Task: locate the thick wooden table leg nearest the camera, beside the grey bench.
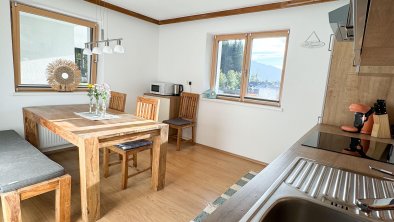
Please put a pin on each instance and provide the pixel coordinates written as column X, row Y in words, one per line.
column 90, row 179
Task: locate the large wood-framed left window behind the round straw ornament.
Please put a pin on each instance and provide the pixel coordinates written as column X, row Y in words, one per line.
column 41, row 37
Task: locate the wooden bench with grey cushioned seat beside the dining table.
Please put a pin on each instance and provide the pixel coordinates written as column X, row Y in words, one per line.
column 24, row 173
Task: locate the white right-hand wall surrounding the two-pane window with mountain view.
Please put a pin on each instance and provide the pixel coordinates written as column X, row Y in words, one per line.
column 249, row 130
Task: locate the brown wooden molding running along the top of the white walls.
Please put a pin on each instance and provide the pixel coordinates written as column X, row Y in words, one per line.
column 239, row 11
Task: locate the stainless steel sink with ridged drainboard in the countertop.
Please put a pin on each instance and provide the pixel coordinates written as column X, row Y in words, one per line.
column 311, row 191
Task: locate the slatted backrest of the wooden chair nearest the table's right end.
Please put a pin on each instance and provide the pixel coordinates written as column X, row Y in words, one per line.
column 148, row 108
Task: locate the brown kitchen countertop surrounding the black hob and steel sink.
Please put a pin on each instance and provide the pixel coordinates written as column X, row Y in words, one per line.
column 239, row 204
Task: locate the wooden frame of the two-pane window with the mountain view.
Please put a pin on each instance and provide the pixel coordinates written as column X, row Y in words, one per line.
column 248, row 37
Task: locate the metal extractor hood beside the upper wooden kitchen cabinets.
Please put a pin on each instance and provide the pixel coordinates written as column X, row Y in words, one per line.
column 341, row 21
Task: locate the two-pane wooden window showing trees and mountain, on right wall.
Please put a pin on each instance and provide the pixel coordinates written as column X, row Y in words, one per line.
column 250, row 67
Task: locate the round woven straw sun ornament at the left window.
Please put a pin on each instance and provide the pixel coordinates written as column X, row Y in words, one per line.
column 63, row 75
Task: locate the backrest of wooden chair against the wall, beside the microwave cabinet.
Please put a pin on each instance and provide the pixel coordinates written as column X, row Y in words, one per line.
column 188, row 105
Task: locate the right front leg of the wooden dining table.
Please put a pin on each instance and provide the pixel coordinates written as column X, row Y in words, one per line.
column 159, row 158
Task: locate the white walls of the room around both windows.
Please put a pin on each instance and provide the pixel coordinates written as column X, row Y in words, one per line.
column 182, row 52
